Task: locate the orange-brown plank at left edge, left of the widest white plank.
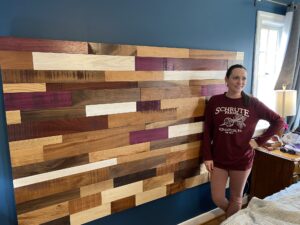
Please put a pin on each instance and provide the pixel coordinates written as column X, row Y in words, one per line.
column 16, row 60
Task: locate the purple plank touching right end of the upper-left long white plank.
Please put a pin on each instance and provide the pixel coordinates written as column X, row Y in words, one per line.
column 149, row 64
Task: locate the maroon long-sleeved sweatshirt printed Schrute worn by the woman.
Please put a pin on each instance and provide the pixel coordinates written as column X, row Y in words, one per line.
column 229, row 127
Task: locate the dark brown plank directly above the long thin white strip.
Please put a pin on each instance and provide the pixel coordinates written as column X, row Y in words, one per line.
column 51, row 165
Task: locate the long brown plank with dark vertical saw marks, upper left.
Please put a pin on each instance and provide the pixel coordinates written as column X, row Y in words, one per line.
column 50, row 76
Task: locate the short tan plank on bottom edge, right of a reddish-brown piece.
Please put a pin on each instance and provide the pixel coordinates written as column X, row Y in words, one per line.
column 151, row 195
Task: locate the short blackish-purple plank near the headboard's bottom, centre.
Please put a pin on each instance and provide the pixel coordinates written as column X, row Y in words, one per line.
column 131, row 178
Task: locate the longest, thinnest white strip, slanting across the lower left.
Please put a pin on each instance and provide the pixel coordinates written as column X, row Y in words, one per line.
column 63, row 173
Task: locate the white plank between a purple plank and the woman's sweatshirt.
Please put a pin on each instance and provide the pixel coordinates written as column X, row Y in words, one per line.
column 185, row 129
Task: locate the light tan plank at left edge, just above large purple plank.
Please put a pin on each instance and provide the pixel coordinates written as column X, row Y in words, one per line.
column 28, row 87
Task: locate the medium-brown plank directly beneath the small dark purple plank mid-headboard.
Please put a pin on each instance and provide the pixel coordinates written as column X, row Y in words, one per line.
column 129, row 119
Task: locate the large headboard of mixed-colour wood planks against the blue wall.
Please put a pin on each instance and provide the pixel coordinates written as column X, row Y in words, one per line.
column 98, row 128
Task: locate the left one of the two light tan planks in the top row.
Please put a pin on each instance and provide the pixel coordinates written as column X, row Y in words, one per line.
column 148, row 51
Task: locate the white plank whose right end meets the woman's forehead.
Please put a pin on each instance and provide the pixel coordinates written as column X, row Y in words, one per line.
column 194, row 75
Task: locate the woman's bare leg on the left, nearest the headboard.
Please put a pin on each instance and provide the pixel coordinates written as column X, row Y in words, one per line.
column 218, row 184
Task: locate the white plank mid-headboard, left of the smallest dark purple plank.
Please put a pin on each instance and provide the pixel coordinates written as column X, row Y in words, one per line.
column 108, row 109
